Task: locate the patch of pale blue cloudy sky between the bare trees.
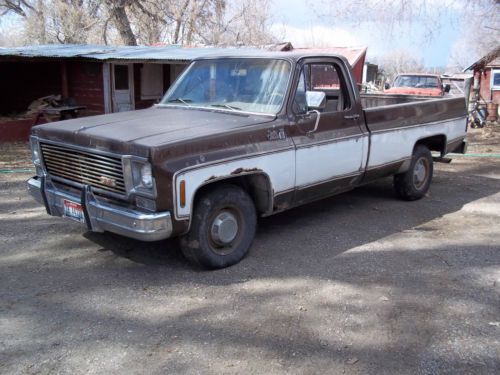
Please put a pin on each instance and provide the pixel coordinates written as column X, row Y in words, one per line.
column 301, row 26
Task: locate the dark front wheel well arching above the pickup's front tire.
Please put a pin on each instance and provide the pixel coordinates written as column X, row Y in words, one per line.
column 257, row 185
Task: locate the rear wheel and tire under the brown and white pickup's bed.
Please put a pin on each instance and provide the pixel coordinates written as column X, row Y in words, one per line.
column 414, row 183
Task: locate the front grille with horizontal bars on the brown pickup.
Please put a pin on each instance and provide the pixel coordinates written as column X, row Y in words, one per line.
column 79, row 168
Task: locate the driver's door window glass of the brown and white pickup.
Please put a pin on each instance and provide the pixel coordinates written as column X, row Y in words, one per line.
column 329, row 79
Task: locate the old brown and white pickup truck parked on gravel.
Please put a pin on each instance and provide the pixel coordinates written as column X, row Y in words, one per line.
column 235, row 138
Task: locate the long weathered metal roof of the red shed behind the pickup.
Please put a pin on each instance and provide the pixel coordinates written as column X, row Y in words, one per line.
column 156, row 53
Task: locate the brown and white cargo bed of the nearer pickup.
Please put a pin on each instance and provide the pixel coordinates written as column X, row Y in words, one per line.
column 396, row 128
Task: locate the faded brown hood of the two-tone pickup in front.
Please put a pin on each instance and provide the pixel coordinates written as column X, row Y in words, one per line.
column 135, row 132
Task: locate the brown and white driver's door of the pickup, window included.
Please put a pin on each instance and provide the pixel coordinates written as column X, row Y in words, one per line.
column 330, row 144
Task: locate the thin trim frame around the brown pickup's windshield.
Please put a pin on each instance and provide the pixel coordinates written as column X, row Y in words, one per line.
column 283, row 104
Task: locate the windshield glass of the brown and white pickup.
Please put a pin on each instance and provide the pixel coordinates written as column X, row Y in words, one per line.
column 249, row 85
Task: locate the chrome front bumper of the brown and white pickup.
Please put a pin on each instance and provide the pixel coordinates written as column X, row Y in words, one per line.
column 100, row 216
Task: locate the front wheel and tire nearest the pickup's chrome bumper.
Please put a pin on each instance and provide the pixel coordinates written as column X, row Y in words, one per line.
column 222, row 228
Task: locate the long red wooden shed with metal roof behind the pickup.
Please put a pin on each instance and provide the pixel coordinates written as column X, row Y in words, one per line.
column 104, row 79
